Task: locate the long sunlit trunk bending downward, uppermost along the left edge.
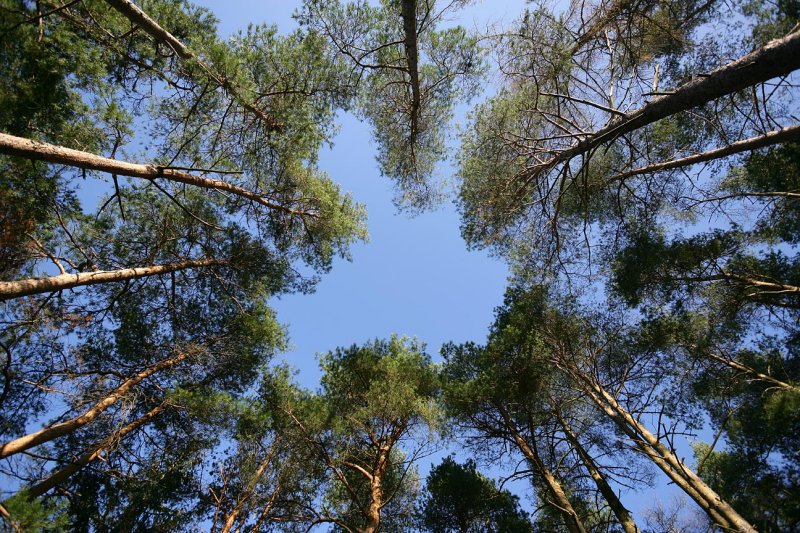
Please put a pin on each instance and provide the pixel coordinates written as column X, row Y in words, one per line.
column 52, row 153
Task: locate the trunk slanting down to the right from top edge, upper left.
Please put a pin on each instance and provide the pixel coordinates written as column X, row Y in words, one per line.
column 139, row 18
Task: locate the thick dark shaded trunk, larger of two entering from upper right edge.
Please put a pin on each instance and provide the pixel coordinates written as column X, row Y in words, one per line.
column 777, row 58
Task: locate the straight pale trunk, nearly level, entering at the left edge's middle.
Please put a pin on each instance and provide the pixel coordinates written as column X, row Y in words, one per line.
column 27, row 287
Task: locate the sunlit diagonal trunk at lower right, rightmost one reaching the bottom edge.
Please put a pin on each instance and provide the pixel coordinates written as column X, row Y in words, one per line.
column 719, row 510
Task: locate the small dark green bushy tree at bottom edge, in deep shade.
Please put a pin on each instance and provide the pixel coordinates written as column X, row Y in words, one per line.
column 460, row 499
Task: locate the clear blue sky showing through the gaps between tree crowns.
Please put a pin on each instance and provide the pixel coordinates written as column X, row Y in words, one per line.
column 415, row 276
